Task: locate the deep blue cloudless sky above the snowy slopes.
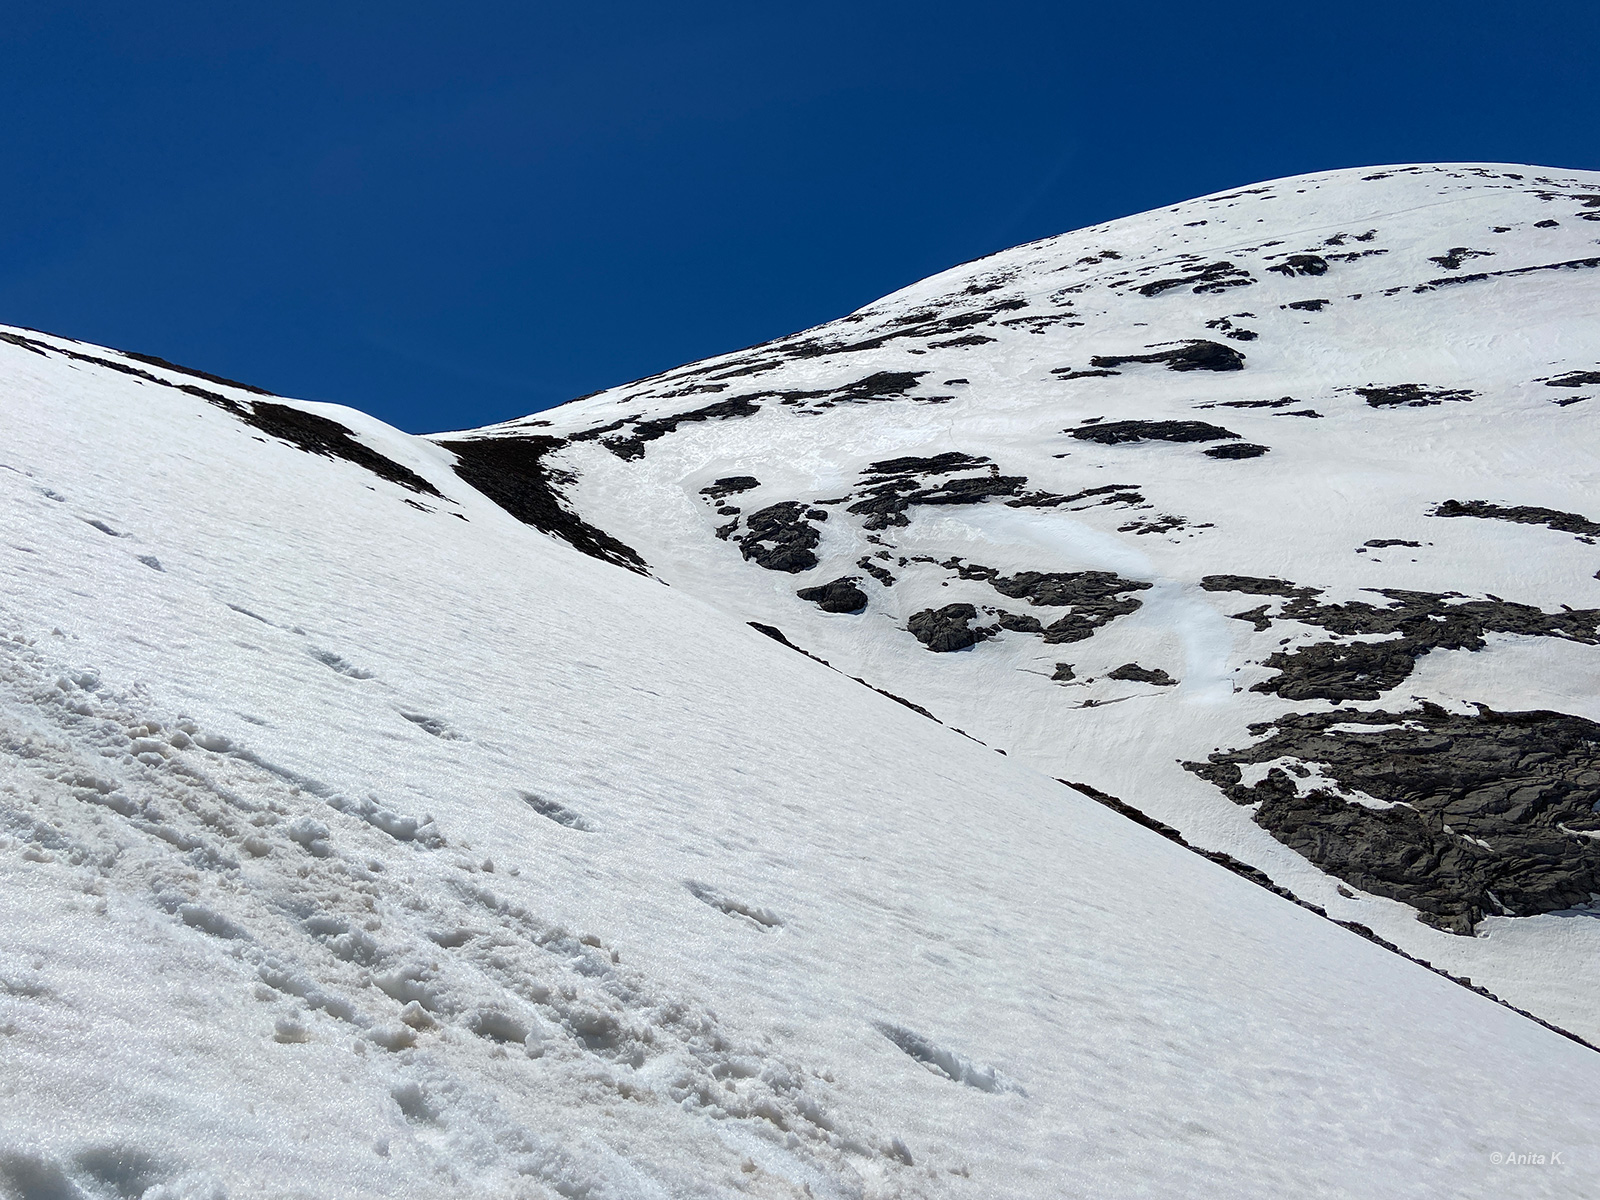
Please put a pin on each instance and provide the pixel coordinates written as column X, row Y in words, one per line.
column 450, row 215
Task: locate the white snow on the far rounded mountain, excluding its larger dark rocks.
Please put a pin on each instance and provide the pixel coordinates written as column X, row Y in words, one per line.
column 1399, row 338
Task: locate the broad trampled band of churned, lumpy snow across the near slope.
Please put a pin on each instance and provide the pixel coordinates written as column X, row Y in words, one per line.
column 366, row 924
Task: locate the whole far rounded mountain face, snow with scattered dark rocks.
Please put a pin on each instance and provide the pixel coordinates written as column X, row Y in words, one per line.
column 1239, row 511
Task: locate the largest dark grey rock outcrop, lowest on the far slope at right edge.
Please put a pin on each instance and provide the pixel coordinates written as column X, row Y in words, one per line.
column 1484, row 815
